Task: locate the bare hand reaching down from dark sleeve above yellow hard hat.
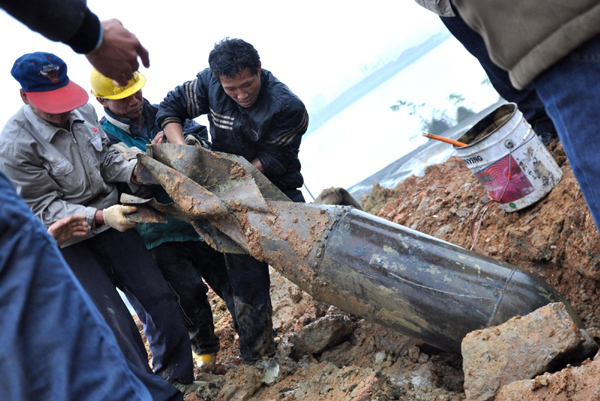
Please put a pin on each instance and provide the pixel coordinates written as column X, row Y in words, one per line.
column 117, row 56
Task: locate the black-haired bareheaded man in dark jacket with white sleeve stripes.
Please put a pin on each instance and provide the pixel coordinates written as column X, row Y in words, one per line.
column 254, row 115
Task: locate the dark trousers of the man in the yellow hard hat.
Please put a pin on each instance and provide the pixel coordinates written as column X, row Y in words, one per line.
column 184, row 265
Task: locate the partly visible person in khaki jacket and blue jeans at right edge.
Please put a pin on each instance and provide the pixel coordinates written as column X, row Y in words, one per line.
column 555, row 45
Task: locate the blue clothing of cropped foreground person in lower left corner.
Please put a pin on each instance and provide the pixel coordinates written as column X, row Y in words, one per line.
column 55, row 345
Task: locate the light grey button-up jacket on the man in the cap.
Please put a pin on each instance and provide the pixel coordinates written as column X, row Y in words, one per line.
column 58, row 172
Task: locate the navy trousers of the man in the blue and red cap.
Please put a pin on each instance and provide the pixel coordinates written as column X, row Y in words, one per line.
column 114, row 259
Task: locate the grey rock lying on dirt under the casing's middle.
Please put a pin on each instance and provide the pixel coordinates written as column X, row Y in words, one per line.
column 324, row 333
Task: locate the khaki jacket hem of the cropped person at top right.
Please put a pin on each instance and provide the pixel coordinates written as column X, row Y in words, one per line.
column 526, row 37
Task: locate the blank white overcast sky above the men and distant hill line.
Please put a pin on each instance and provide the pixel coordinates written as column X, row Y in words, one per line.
column 315, row 47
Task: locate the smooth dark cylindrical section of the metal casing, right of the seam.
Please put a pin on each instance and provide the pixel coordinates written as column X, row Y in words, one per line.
column 419, row 285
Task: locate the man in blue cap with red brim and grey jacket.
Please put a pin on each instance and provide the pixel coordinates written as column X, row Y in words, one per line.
column 56, row 154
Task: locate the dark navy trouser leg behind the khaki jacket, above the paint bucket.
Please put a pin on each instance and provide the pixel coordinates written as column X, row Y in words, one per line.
column 527, row 100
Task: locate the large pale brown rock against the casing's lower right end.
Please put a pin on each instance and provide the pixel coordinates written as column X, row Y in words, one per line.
column 521, row 348
